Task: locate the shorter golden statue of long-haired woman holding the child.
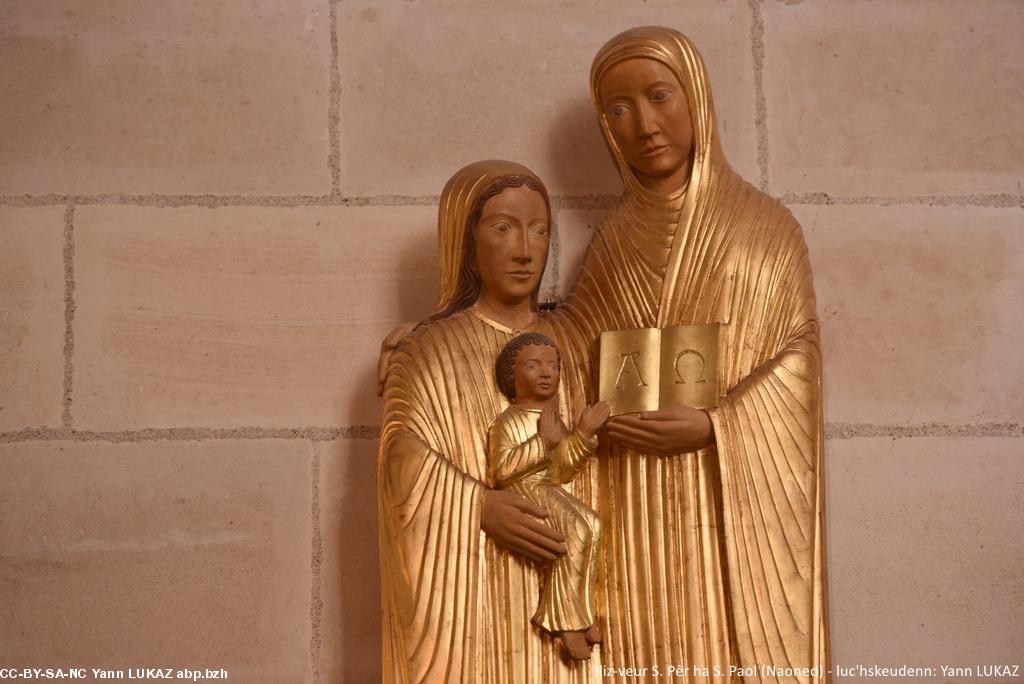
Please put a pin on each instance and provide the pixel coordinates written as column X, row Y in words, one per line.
column 461, row 562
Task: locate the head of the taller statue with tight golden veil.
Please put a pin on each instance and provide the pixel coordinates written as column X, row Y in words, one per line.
column 651, row 90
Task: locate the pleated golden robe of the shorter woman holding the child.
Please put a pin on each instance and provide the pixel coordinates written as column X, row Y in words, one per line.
column 456, row 609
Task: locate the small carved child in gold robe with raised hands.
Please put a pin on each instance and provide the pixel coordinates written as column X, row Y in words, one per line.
column 533, row 454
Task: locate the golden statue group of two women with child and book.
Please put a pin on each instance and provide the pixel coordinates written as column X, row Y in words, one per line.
column 528, row 537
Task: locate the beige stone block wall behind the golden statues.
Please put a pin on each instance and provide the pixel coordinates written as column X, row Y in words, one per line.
column 211, row 212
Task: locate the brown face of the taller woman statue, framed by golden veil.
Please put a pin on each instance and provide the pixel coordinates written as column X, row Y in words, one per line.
column 650, row 118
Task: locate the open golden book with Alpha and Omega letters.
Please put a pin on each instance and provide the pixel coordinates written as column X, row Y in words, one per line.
column 650, row 369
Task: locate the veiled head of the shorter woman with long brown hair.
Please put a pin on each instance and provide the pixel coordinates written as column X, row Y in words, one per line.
column 508, row 201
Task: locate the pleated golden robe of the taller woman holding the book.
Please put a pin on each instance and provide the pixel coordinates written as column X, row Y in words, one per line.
column 713, row 559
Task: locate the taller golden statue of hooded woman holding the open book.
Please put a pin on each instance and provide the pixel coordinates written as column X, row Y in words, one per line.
column 713, row 521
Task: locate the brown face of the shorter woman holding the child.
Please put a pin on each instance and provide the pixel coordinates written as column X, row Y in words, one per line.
column 513, row 240
